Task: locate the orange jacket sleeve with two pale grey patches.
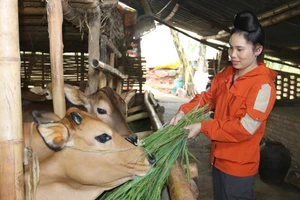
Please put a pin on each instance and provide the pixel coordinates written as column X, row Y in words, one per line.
column 258, row 105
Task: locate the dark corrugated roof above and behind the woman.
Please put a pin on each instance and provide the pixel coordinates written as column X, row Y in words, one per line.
column 208, row 18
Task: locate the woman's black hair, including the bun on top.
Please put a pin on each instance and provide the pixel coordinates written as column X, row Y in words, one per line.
column 247, row 24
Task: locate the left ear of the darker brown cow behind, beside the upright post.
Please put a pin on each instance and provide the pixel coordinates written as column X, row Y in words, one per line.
column 75, row 96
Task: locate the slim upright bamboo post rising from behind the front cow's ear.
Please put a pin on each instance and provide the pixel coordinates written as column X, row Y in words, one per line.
column 55, row 20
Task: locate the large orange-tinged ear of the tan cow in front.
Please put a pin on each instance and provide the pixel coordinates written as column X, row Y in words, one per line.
column 55, row 135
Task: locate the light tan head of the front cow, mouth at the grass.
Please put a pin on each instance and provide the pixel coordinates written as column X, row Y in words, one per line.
column 89, row 152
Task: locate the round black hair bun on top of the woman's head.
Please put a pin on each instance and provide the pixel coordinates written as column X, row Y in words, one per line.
column 247, row 21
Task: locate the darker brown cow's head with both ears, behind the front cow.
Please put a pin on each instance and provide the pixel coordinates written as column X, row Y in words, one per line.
column 106, row 105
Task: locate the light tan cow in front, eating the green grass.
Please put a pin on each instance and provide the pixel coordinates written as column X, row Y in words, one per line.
column 80, row 156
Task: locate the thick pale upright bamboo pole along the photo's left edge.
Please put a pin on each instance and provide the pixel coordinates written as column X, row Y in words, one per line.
column 11, row 137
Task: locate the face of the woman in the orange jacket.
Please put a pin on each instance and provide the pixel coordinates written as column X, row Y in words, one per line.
column 242, row 53
